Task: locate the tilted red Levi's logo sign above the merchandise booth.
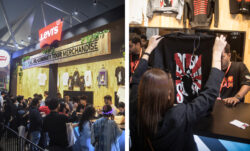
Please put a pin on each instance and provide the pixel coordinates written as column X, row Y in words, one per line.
column 50, row 33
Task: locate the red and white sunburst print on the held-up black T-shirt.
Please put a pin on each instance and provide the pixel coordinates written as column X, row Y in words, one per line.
column 188, row 76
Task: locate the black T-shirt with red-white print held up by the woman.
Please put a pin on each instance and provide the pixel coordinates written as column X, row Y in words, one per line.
column 190, row 69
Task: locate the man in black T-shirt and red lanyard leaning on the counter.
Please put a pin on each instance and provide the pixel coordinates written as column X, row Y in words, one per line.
column 236, row 82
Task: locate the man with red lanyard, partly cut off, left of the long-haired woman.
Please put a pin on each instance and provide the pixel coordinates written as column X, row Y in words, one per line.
column 135, row 52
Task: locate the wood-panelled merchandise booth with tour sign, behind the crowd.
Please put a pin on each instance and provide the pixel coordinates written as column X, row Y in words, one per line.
column 90, row 63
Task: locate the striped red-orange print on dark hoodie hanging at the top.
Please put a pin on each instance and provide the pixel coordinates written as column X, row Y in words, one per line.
column 200, row 7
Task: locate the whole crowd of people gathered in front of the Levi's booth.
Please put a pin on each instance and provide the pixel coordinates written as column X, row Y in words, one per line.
column 51, row 122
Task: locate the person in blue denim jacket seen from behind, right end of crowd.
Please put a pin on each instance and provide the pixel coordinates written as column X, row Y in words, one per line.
column 105, row 132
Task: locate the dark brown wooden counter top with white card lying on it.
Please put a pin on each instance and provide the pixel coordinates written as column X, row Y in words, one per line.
column 217, row 124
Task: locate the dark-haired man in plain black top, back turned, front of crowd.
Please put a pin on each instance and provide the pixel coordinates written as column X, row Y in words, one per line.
column 55, row 125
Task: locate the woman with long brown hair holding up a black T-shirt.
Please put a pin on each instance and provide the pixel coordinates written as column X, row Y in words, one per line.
column 155, row 124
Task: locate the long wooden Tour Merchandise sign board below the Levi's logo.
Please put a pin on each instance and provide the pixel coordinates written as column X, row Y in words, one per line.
column 93, row 45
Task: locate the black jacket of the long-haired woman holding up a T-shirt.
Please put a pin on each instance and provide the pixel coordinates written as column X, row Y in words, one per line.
column 175, row 130
